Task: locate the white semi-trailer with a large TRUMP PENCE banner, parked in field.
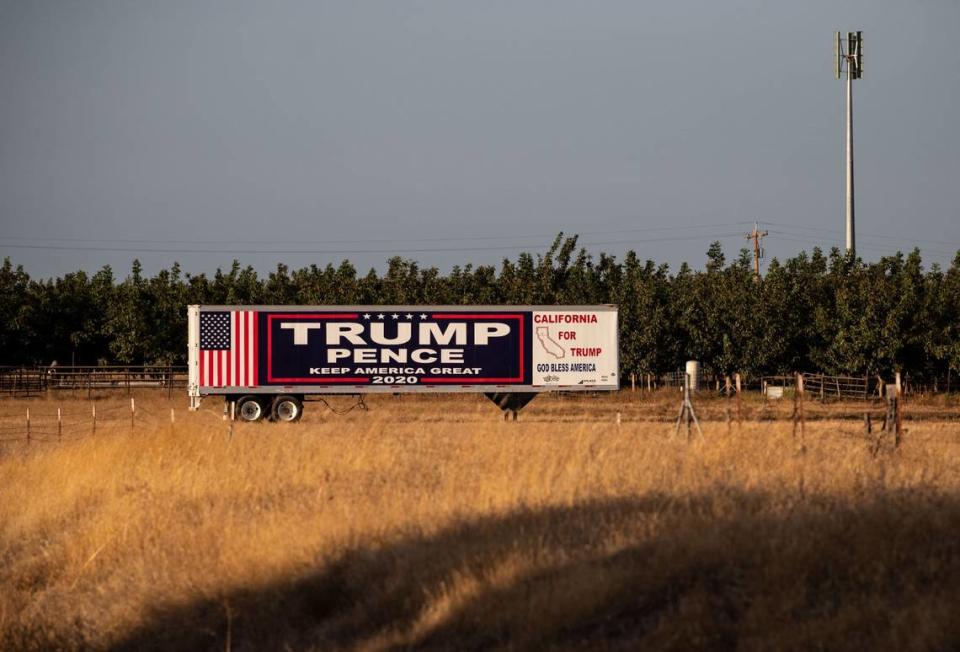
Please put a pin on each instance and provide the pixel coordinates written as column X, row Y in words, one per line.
column 268, row 360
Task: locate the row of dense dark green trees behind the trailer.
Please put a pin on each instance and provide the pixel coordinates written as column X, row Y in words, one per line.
column 818, row 312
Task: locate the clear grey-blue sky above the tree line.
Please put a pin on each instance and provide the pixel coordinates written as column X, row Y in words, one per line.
column 453, row 132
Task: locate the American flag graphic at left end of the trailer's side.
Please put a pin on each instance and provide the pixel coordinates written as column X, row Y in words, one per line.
column 228, row 351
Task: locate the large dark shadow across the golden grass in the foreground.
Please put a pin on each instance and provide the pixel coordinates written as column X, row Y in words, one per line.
column 726, row 570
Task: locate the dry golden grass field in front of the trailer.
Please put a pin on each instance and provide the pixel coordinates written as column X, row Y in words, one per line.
column 431, row 523
